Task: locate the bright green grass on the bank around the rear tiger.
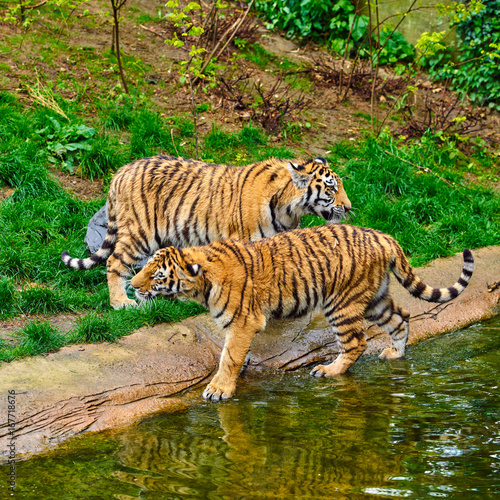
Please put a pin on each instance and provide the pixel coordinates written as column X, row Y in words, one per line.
column 419, row 193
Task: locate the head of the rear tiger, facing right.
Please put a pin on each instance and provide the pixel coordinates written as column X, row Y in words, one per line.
column 324, row 193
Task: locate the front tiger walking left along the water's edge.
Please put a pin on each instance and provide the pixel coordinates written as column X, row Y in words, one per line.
column 339, row 269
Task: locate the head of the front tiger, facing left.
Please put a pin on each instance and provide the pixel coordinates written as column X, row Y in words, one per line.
column 166, row 273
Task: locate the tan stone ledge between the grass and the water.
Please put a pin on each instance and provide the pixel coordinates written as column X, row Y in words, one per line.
column 103, row 386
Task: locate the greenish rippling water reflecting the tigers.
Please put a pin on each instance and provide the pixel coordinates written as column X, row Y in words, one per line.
column 420, row 428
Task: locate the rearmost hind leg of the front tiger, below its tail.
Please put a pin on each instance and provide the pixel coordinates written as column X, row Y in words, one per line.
column 386, row 314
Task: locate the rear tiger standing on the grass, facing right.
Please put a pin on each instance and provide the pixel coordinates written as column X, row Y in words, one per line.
column 162, row 201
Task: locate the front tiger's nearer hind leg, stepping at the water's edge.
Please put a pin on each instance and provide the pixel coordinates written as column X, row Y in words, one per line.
column 349, row 331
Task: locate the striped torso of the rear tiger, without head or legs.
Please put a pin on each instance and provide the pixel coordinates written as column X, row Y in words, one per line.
column 188, row 203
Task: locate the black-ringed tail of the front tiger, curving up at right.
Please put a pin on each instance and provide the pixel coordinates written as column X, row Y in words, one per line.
column 419, row 289
